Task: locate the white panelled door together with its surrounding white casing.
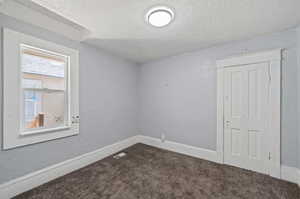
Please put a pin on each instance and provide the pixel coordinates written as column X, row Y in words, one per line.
column 248, row 112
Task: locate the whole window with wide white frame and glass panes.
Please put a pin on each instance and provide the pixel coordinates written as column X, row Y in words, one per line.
column 40, row 90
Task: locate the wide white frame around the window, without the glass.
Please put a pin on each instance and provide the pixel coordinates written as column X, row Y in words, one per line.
column 12, row 102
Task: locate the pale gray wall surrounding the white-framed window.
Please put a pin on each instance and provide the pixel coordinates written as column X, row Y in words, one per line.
column 108, row 97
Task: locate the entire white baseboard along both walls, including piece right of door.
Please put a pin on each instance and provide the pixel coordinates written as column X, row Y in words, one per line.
column 32, row 180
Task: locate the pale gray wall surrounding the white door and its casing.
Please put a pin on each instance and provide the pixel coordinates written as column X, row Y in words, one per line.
column 178, row 94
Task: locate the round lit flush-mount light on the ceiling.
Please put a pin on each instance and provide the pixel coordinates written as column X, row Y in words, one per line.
column 160, row 16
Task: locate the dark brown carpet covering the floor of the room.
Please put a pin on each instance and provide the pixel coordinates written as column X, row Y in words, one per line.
column 151, row 173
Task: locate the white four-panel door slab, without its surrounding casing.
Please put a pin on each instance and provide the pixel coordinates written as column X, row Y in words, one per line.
column 246, row 92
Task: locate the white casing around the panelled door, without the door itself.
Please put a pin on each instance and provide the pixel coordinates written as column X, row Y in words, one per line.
column 273, row 57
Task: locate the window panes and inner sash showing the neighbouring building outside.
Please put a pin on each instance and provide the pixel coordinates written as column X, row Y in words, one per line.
column 44, row 89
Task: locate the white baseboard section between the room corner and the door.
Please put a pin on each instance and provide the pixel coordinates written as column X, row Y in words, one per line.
column 201, row 153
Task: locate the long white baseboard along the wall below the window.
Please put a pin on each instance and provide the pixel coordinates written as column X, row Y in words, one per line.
column 27, row 182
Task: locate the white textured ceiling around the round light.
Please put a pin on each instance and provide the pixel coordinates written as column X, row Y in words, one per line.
column 118, row 26
